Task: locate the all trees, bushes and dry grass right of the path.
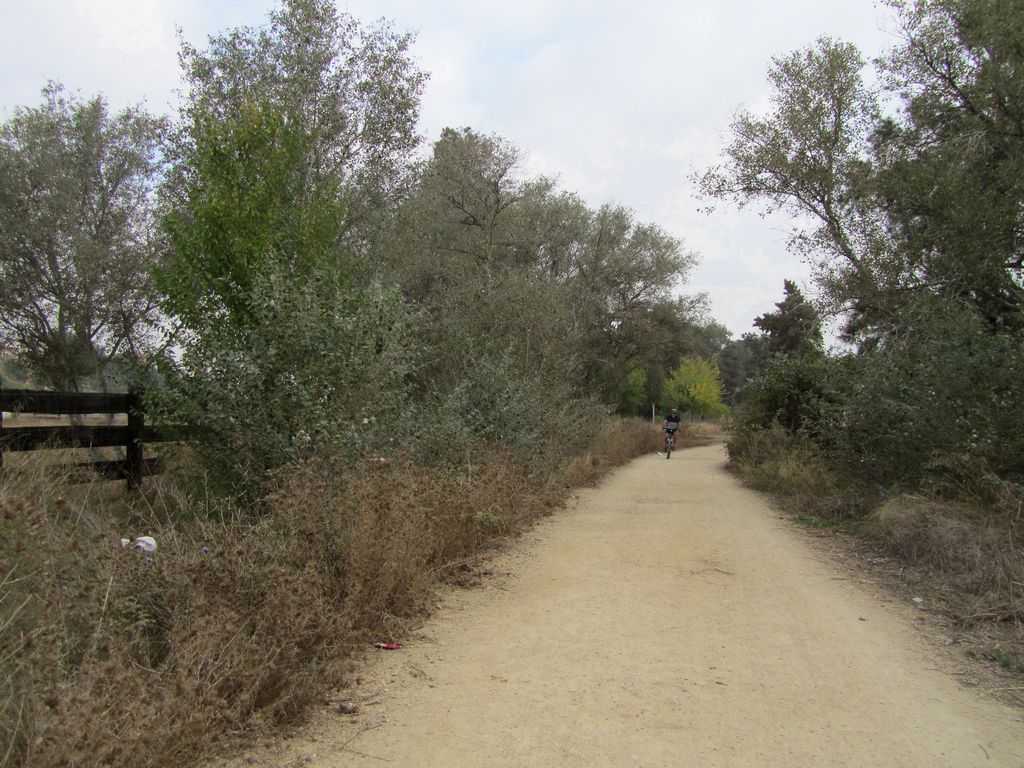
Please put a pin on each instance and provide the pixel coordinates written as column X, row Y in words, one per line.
column 911, row 431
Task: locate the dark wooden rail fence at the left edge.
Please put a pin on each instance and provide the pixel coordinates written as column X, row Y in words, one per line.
column 133, row 438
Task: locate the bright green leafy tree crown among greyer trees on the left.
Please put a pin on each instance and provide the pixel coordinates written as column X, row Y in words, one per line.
column 248, row 210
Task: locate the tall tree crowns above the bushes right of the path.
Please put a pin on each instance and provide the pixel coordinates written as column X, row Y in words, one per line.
column 924, row 201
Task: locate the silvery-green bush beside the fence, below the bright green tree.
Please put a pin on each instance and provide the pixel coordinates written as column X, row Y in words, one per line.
column 313, row 372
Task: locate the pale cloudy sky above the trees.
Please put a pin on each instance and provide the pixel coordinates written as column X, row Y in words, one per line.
column 620, row 102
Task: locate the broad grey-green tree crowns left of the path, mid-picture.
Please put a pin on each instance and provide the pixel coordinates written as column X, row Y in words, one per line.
column 584, row 295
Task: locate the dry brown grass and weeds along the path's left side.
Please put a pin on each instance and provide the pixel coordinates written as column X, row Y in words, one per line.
column 112, row 657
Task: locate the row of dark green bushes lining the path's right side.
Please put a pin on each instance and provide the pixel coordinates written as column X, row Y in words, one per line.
column 897, row 414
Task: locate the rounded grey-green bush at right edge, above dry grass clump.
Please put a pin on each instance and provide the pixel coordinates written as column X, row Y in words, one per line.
column 946, row 388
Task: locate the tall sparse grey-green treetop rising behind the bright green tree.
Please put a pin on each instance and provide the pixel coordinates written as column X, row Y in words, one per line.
column 353, row 91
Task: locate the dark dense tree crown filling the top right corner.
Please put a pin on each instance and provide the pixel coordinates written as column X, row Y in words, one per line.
column 950, row 170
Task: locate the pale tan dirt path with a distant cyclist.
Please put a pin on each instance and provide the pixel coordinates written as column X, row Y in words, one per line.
column 670, row 619
